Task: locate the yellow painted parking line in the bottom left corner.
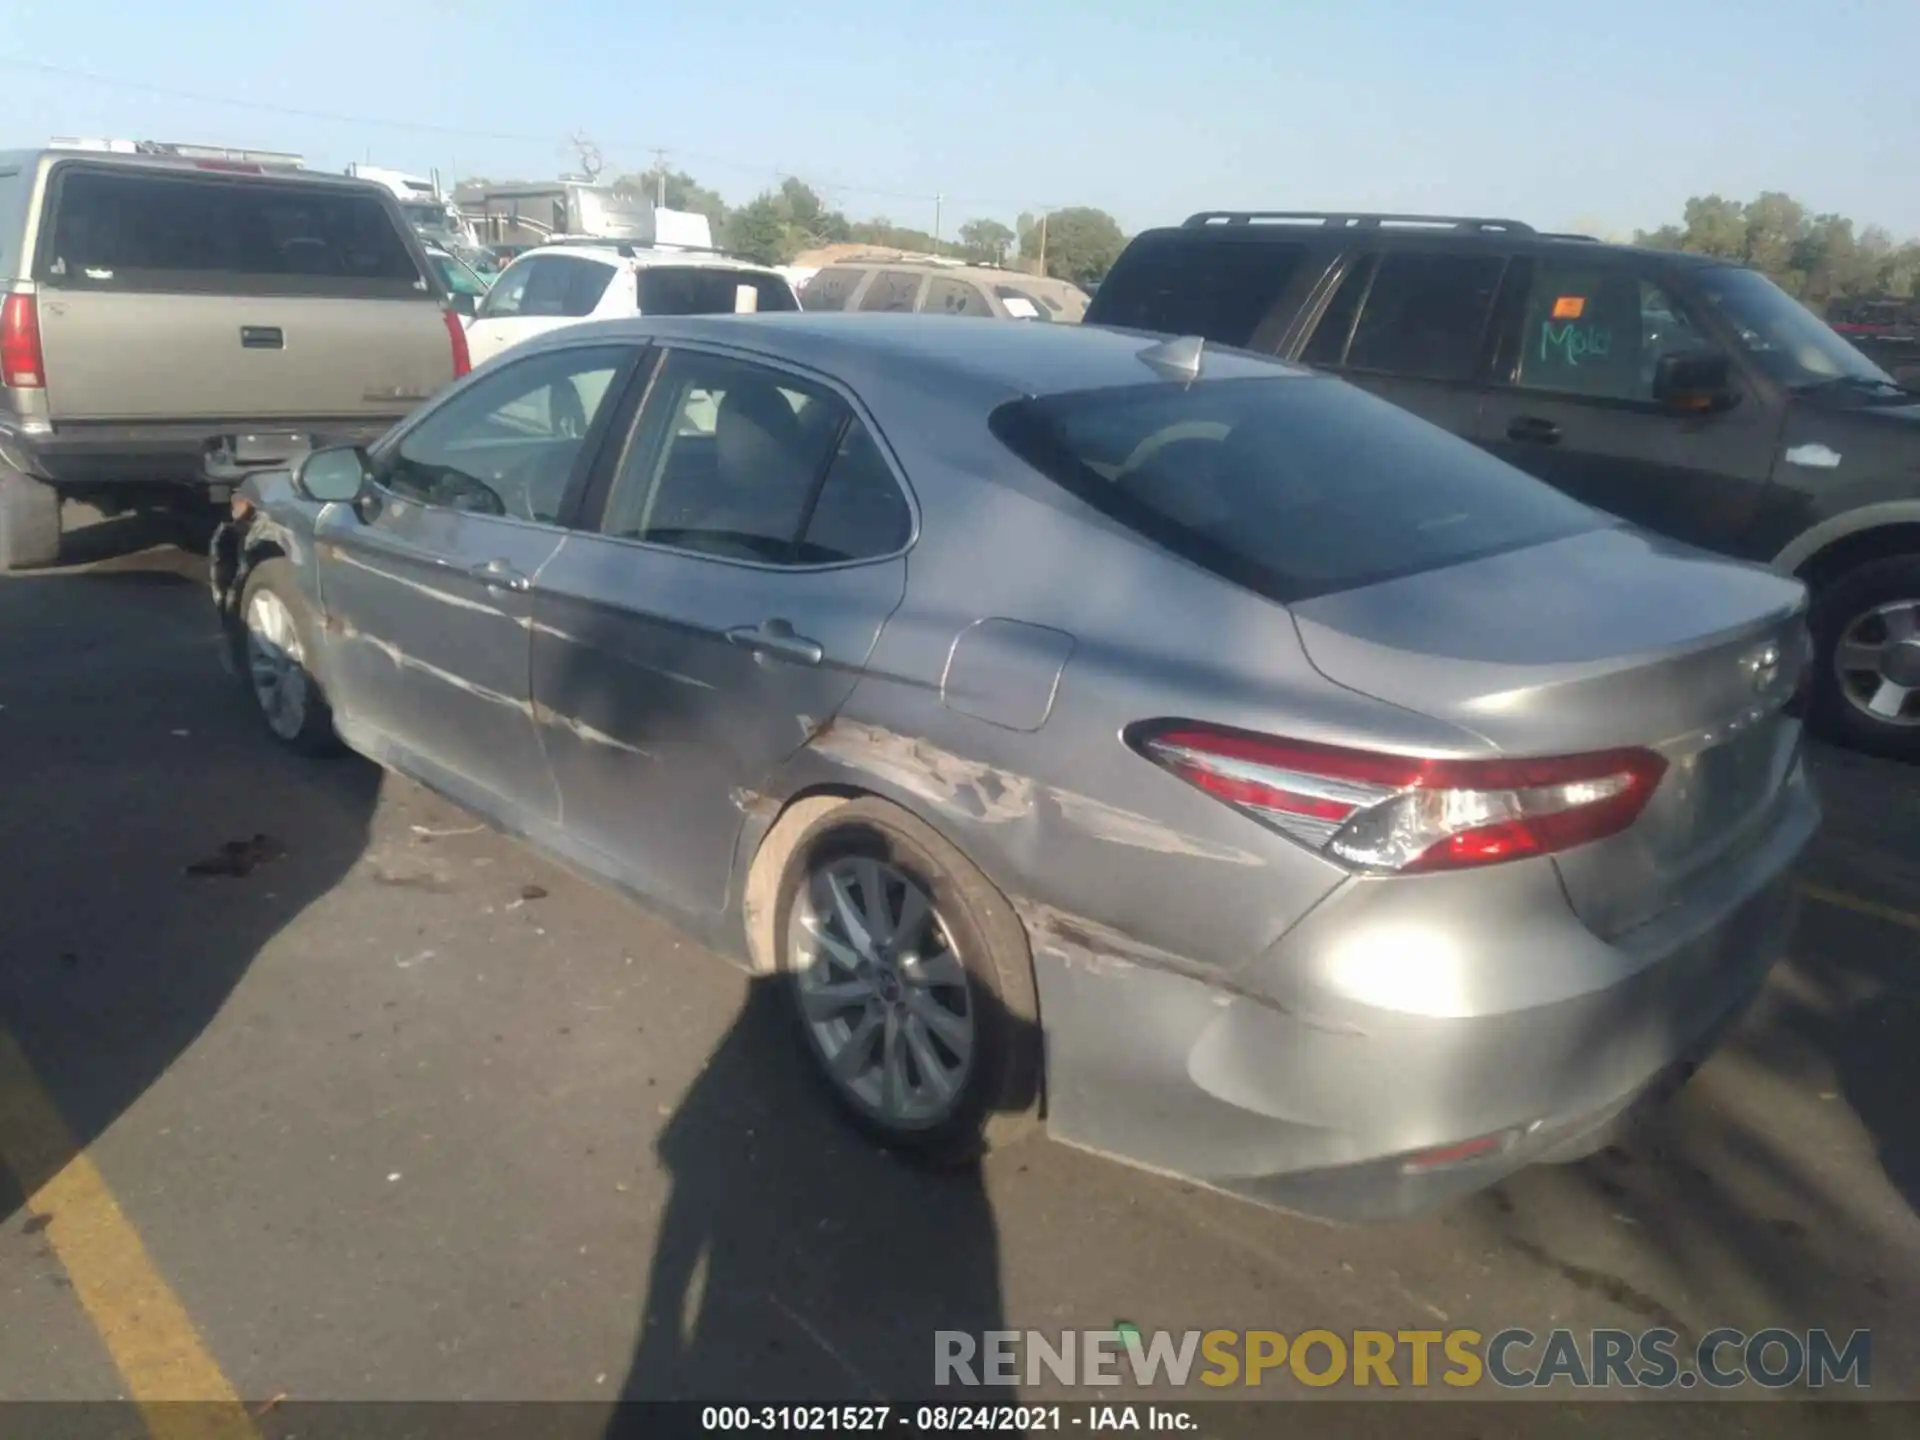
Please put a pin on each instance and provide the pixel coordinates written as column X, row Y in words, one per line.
column 143, row 1324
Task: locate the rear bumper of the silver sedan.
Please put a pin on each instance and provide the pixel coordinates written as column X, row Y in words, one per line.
column 1333, row 1103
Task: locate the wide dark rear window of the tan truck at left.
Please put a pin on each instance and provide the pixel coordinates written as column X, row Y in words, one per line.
column 204, row 235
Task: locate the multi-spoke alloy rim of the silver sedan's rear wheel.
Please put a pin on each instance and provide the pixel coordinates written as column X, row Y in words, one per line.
column 882, row 992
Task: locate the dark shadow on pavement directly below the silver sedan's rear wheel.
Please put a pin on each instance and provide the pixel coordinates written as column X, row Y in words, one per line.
column 796, row 1260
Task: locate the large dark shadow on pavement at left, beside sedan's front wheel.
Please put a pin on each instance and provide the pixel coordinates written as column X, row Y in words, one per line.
column 132, row 757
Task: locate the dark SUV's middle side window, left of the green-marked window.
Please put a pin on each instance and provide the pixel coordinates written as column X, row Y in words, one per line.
column 1426, row 316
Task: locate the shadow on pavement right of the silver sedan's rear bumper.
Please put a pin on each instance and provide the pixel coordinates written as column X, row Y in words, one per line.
column 1740, row 1203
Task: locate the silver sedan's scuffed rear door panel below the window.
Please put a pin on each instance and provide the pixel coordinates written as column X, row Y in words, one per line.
column 658, row 723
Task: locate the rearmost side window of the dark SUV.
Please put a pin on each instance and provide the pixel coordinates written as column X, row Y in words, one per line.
column 1189, row 285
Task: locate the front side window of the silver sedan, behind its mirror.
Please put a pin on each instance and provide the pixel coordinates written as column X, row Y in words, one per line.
column 508, row 444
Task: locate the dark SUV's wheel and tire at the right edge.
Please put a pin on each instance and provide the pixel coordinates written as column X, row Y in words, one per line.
column 1846, row 612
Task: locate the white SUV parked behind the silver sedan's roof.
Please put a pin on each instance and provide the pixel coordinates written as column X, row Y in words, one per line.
column 592, row 281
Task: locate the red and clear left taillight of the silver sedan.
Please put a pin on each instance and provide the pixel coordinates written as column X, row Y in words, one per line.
column 1403, row 813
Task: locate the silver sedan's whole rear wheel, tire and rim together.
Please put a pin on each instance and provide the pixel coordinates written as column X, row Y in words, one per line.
column 996, row 1095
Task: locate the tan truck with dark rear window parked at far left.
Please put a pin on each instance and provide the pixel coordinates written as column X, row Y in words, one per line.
column 174, row 322
